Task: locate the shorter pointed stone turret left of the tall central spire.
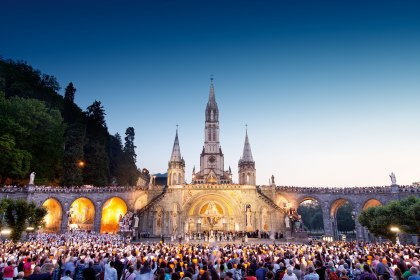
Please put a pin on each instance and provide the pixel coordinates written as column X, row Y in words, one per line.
column 176, row 165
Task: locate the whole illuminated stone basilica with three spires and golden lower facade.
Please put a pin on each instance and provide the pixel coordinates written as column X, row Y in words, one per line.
column 212, row 202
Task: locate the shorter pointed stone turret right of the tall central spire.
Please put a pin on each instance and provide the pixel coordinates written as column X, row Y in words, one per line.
column 246, row 165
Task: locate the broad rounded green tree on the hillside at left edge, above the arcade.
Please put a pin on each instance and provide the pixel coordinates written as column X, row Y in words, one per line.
column 34, row 132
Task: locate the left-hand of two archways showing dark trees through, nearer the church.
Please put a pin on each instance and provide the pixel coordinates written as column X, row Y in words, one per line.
column 311, row 217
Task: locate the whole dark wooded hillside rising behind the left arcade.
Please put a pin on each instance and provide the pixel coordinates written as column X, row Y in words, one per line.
column 45, row 132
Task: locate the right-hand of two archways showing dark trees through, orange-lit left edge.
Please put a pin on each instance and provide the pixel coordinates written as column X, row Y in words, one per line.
column 344, row 216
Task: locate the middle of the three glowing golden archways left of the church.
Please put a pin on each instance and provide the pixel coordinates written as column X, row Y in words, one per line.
column 81, row 214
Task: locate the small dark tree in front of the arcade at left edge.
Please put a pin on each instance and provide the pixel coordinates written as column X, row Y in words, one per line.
column 19, row 214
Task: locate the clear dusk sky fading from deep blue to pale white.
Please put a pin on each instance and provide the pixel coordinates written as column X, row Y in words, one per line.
column 330, row 90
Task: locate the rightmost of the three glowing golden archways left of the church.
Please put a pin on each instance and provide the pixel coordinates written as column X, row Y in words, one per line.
column 113, row 211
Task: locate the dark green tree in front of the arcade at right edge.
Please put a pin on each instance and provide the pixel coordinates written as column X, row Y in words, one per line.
column 400, row 213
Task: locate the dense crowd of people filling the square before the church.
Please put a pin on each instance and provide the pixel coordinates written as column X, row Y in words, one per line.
column 83, row 255
